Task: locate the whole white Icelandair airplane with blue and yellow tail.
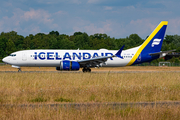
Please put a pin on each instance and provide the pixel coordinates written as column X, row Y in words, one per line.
column 73, row 60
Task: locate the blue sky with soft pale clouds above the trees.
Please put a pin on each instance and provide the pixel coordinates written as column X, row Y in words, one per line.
column 116, row 18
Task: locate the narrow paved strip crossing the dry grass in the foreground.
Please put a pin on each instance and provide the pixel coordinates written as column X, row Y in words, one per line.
column 81, row 105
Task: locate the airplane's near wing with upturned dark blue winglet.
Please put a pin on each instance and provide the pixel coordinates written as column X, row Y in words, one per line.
column 96, row 62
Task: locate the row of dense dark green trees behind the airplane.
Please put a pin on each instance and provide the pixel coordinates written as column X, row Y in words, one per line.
column 11, row 42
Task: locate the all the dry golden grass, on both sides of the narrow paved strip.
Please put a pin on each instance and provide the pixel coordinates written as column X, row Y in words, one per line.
column 28, row 88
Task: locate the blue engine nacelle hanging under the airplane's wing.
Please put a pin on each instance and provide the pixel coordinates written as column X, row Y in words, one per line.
column 68, row 65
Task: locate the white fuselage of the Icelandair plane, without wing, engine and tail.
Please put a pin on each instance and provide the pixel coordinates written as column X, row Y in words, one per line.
column 52, row 58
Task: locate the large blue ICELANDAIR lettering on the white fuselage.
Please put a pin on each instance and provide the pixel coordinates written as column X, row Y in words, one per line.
column 67, row 56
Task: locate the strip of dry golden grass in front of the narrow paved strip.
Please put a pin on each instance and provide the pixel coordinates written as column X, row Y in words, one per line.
column 91, row 113
